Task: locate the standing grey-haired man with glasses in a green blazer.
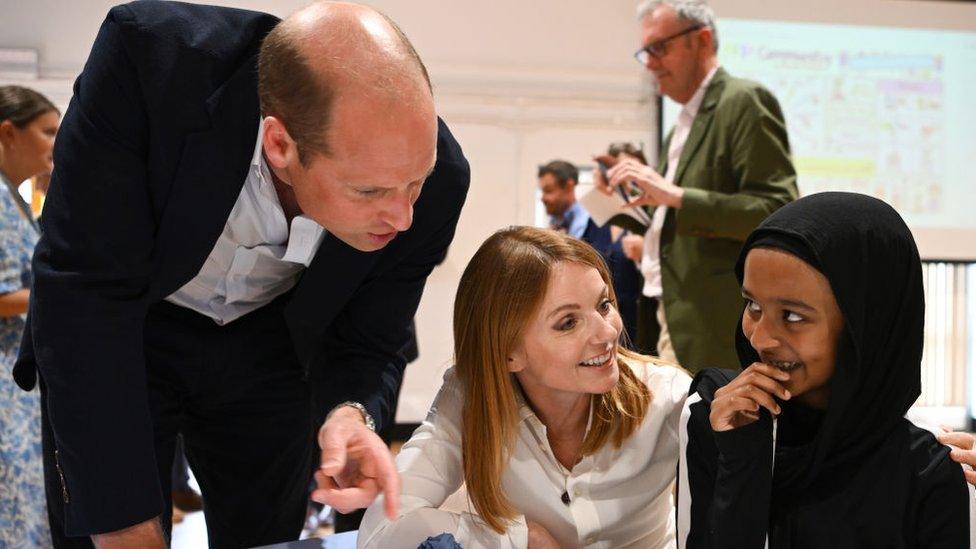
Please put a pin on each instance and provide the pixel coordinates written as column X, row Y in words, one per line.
column 723, row 168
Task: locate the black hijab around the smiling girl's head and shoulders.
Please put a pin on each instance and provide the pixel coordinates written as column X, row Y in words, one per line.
column 867, row 253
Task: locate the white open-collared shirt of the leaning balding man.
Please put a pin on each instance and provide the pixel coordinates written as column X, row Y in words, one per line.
column 256, row 258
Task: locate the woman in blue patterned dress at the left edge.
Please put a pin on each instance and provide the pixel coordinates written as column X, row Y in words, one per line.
column 28, row 123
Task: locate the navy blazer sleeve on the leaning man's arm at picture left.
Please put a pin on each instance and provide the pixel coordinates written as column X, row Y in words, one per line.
column 88, row 305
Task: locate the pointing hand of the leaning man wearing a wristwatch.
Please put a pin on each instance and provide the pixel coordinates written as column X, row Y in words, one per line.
column 356, row 465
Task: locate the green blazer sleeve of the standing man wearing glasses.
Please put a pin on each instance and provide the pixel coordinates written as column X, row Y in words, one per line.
column 761, row 169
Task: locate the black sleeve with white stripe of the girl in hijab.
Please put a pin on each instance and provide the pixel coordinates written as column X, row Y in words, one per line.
column 724, row 483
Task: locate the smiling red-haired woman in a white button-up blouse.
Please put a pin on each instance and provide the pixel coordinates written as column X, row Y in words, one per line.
column 561, row 436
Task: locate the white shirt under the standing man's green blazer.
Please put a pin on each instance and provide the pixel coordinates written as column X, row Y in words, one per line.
column 651, row 258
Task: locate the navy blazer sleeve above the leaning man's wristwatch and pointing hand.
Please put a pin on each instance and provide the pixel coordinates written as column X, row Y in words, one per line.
column 363, row 347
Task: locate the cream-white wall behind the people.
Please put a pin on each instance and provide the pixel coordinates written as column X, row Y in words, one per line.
column 519, row 81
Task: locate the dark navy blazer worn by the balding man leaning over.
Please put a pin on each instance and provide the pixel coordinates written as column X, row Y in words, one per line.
column 151, row 157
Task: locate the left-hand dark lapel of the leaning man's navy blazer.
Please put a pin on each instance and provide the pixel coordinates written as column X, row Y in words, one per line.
column 211, row 173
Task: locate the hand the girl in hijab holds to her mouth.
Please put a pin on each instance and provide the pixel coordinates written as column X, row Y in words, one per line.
column 737, row 404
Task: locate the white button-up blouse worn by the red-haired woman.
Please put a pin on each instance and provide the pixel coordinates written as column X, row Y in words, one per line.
column 618, row 497
